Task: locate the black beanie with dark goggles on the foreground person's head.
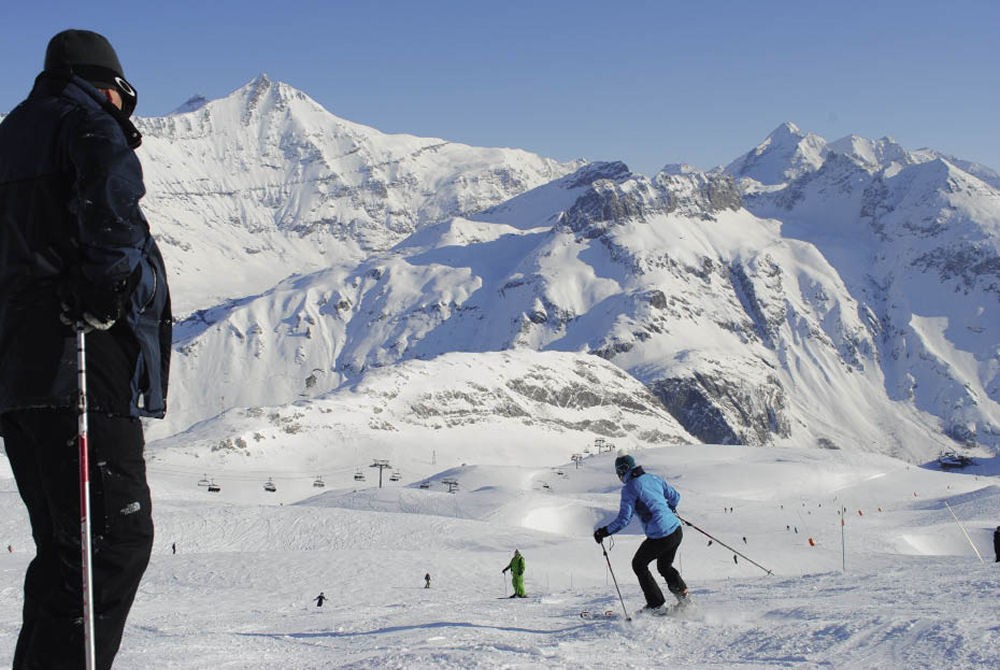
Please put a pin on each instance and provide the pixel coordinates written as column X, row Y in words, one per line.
column 92, row 57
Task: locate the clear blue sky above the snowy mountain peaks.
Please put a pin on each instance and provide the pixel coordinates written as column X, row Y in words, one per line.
column 647, row 82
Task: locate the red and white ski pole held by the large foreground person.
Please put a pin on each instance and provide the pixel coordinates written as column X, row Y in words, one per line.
column 86, row 553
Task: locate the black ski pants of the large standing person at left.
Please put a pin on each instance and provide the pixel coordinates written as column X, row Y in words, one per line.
column 43, row 451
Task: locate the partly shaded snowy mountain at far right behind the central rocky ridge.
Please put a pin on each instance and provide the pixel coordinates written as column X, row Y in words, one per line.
column 915, row 237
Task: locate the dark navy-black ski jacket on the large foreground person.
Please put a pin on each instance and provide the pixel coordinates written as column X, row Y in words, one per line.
column 70, row 185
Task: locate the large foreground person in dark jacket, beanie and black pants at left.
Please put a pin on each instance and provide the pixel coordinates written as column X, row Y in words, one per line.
column 76, row 248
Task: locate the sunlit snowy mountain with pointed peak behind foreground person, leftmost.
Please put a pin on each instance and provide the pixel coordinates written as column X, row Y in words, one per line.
column 246, row 190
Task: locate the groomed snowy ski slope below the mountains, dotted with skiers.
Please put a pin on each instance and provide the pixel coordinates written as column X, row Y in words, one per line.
column 899, row 585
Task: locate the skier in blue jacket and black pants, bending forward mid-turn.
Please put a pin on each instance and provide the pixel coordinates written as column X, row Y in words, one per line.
column 656, row 502
